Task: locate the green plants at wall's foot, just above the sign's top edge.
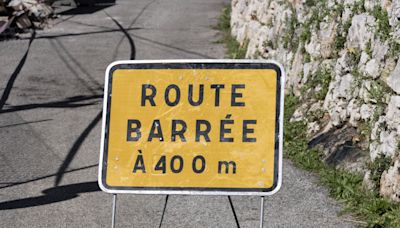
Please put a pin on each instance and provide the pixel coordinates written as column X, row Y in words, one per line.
column 235, row 50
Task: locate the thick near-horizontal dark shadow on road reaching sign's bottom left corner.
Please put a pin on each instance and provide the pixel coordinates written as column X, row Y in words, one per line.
column 52, row 195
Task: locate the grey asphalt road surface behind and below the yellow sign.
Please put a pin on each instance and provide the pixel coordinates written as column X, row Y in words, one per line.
column 51, row 95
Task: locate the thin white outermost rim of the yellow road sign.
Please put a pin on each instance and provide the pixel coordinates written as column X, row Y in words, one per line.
column 192, row 192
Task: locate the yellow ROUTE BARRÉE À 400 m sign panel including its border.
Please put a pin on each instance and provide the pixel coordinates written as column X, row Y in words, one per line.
column 192, row 127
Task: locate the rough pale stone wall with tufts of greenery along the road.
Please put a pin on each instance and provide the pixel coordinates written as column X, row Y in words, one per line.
column 342, row 61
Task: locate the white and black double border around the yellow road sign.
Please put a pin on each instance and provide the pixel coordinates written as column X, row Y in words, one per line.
column 194, row 64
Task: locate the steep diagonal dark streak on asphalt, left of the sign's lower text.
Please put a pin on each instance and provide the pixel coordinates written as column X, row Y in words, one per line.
column 75, row 148
